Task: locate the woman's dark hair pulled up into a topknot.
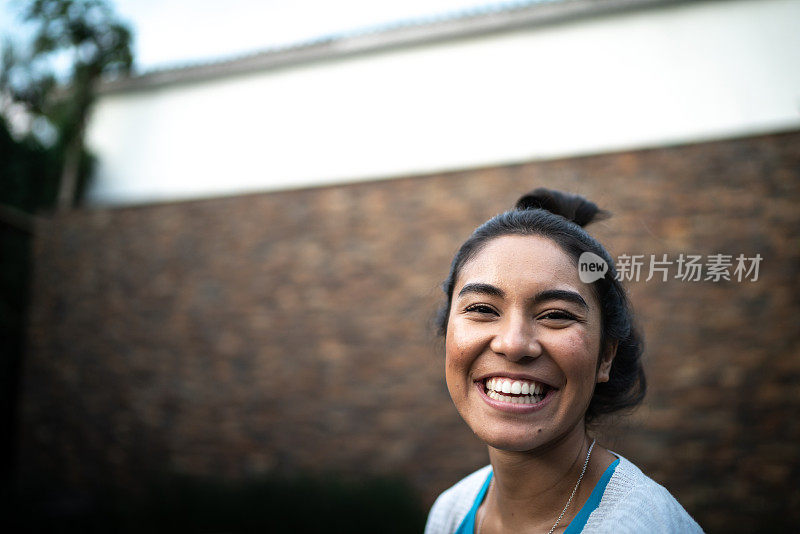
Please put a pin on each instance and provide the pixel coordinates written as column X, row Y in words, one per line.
column 560, row 217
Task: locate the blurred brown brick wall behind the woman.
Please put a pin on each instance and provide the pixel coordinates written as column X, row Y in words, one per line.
column 290, row 331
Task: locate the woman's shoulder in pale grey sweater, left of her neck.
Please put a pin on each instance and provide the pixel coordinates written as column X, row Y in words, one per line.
column 454, row 503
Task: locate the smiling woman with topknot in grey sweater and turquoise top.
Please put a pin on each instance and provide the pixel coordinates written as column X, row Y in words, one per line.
column 533, row 355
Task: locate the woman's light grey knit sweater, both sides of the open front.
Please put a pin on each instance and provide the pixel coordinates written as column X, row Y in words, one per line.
column 632, row 503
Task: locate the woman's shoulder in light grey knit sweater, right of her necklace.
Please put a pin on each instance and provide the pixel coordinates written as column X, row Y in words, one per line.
column 633, row 502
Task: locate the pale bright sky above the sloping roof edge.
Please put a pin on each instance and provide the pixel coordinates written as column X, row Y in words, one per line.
column 178, row 32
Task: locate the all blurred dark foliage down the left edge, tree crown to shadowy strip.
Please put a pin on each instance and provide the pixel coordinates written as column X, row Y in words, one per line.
column 47, row 88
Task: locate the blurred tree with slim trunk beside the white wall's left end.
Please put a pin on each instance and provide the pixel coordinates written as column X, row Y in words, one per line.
column 97, row 46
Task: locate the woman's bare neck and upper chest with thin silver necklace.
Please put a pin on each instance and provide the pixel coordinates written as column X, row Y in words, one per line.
column 530, row 489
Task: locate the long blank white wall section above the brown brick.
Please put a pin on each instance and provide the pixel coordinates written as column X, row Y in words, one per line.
column 682, row 74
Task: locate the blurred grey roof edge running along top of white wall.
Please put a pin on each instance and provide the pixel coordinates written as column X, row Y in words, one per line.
column 399, row 36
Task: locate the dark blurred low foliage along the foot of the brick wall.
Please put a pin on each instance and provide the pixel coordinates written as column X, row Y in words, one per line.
column 275, row 504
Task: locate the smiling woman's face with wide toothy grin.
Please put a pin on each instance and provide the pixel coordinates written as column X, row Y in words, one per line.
column 522, row 344
